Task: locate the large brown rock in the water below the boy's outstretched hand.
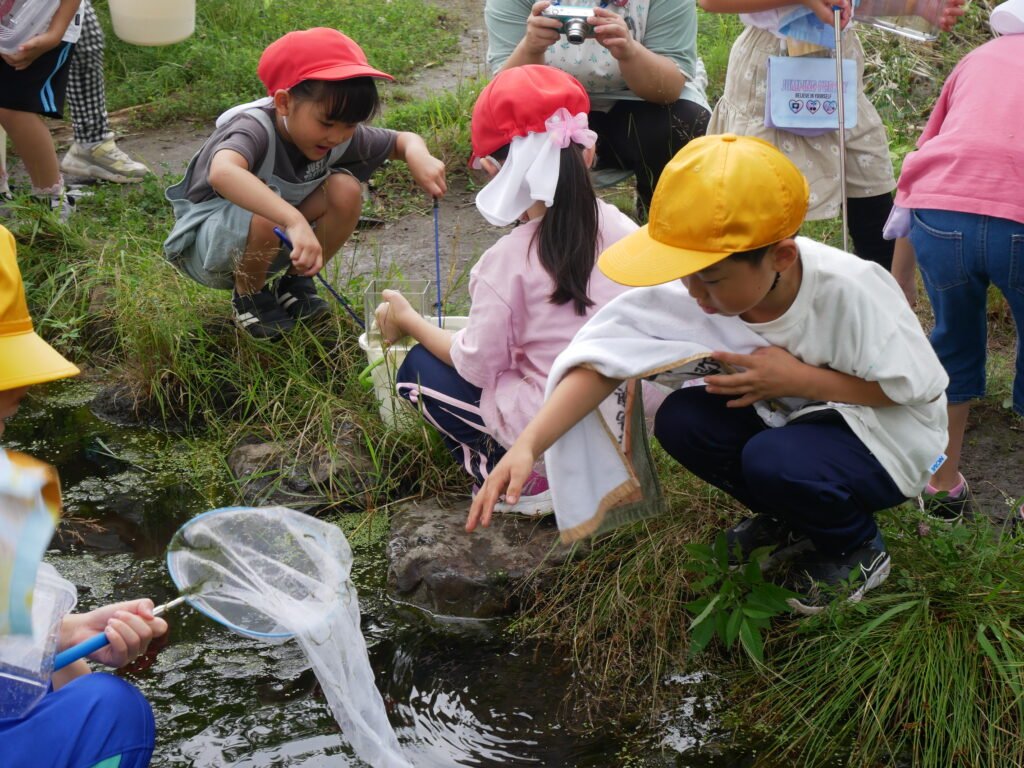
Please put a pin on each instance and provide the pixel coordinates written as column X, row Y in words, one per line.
column 435, row 565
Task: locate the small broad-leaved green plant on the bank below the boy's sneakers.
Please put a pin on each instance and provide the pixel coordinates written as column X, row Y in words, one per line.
column 739, row 604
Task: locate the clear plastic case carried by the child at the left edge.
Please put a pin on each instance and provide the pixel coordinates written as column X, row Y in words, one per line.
column 27, row 662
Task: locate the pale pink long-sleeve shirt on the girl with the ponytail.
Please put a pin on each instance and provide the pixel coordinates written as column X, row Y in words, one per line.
column 515, row 334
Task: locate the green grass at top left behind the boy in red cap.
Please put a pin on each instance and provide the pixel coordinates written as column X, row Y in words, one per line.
column 217, row 68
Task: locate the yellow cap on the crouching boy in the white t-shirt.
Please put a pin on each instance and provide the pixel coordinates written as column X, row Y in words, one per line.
column 719, row 196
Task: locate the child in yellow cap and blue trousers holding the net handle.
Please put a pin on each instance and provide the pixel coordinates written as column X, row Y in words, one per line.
column 86, row 720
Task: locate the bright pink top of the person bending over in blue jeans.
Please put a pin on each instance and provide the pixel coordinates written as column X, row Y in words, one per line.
column 970, row 158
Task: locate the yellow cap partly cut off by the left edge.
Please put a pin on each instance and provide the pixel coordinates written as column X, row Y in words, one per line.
column 25, row 358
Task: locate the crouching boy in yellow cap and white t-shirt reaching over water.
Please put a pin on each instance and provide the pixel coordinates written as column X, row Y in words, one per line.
column 858, row 422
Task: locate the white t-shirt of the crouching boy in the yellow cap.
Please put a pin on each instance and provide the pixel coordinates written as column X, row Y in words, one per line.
column 850, row 316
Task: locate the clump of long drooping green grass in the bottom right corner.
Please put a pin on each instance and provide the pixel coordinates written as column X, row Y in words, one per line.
column 930, row 672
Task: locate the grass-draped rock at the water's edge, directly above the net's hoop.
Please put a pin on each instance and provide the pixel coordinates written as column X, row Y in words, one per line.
column 302, row 477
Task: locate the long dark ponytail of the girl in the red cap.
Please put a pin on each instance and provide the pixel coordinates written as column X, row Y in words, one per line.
column 567, row 238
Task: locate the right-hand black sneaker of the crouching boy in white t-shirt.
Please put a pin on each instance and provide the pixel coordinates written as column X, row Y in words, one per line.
column 821, row 578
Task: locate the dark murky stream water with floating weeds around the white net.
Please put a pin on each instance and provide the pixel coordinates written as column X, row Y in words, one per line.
column 459, row 695
